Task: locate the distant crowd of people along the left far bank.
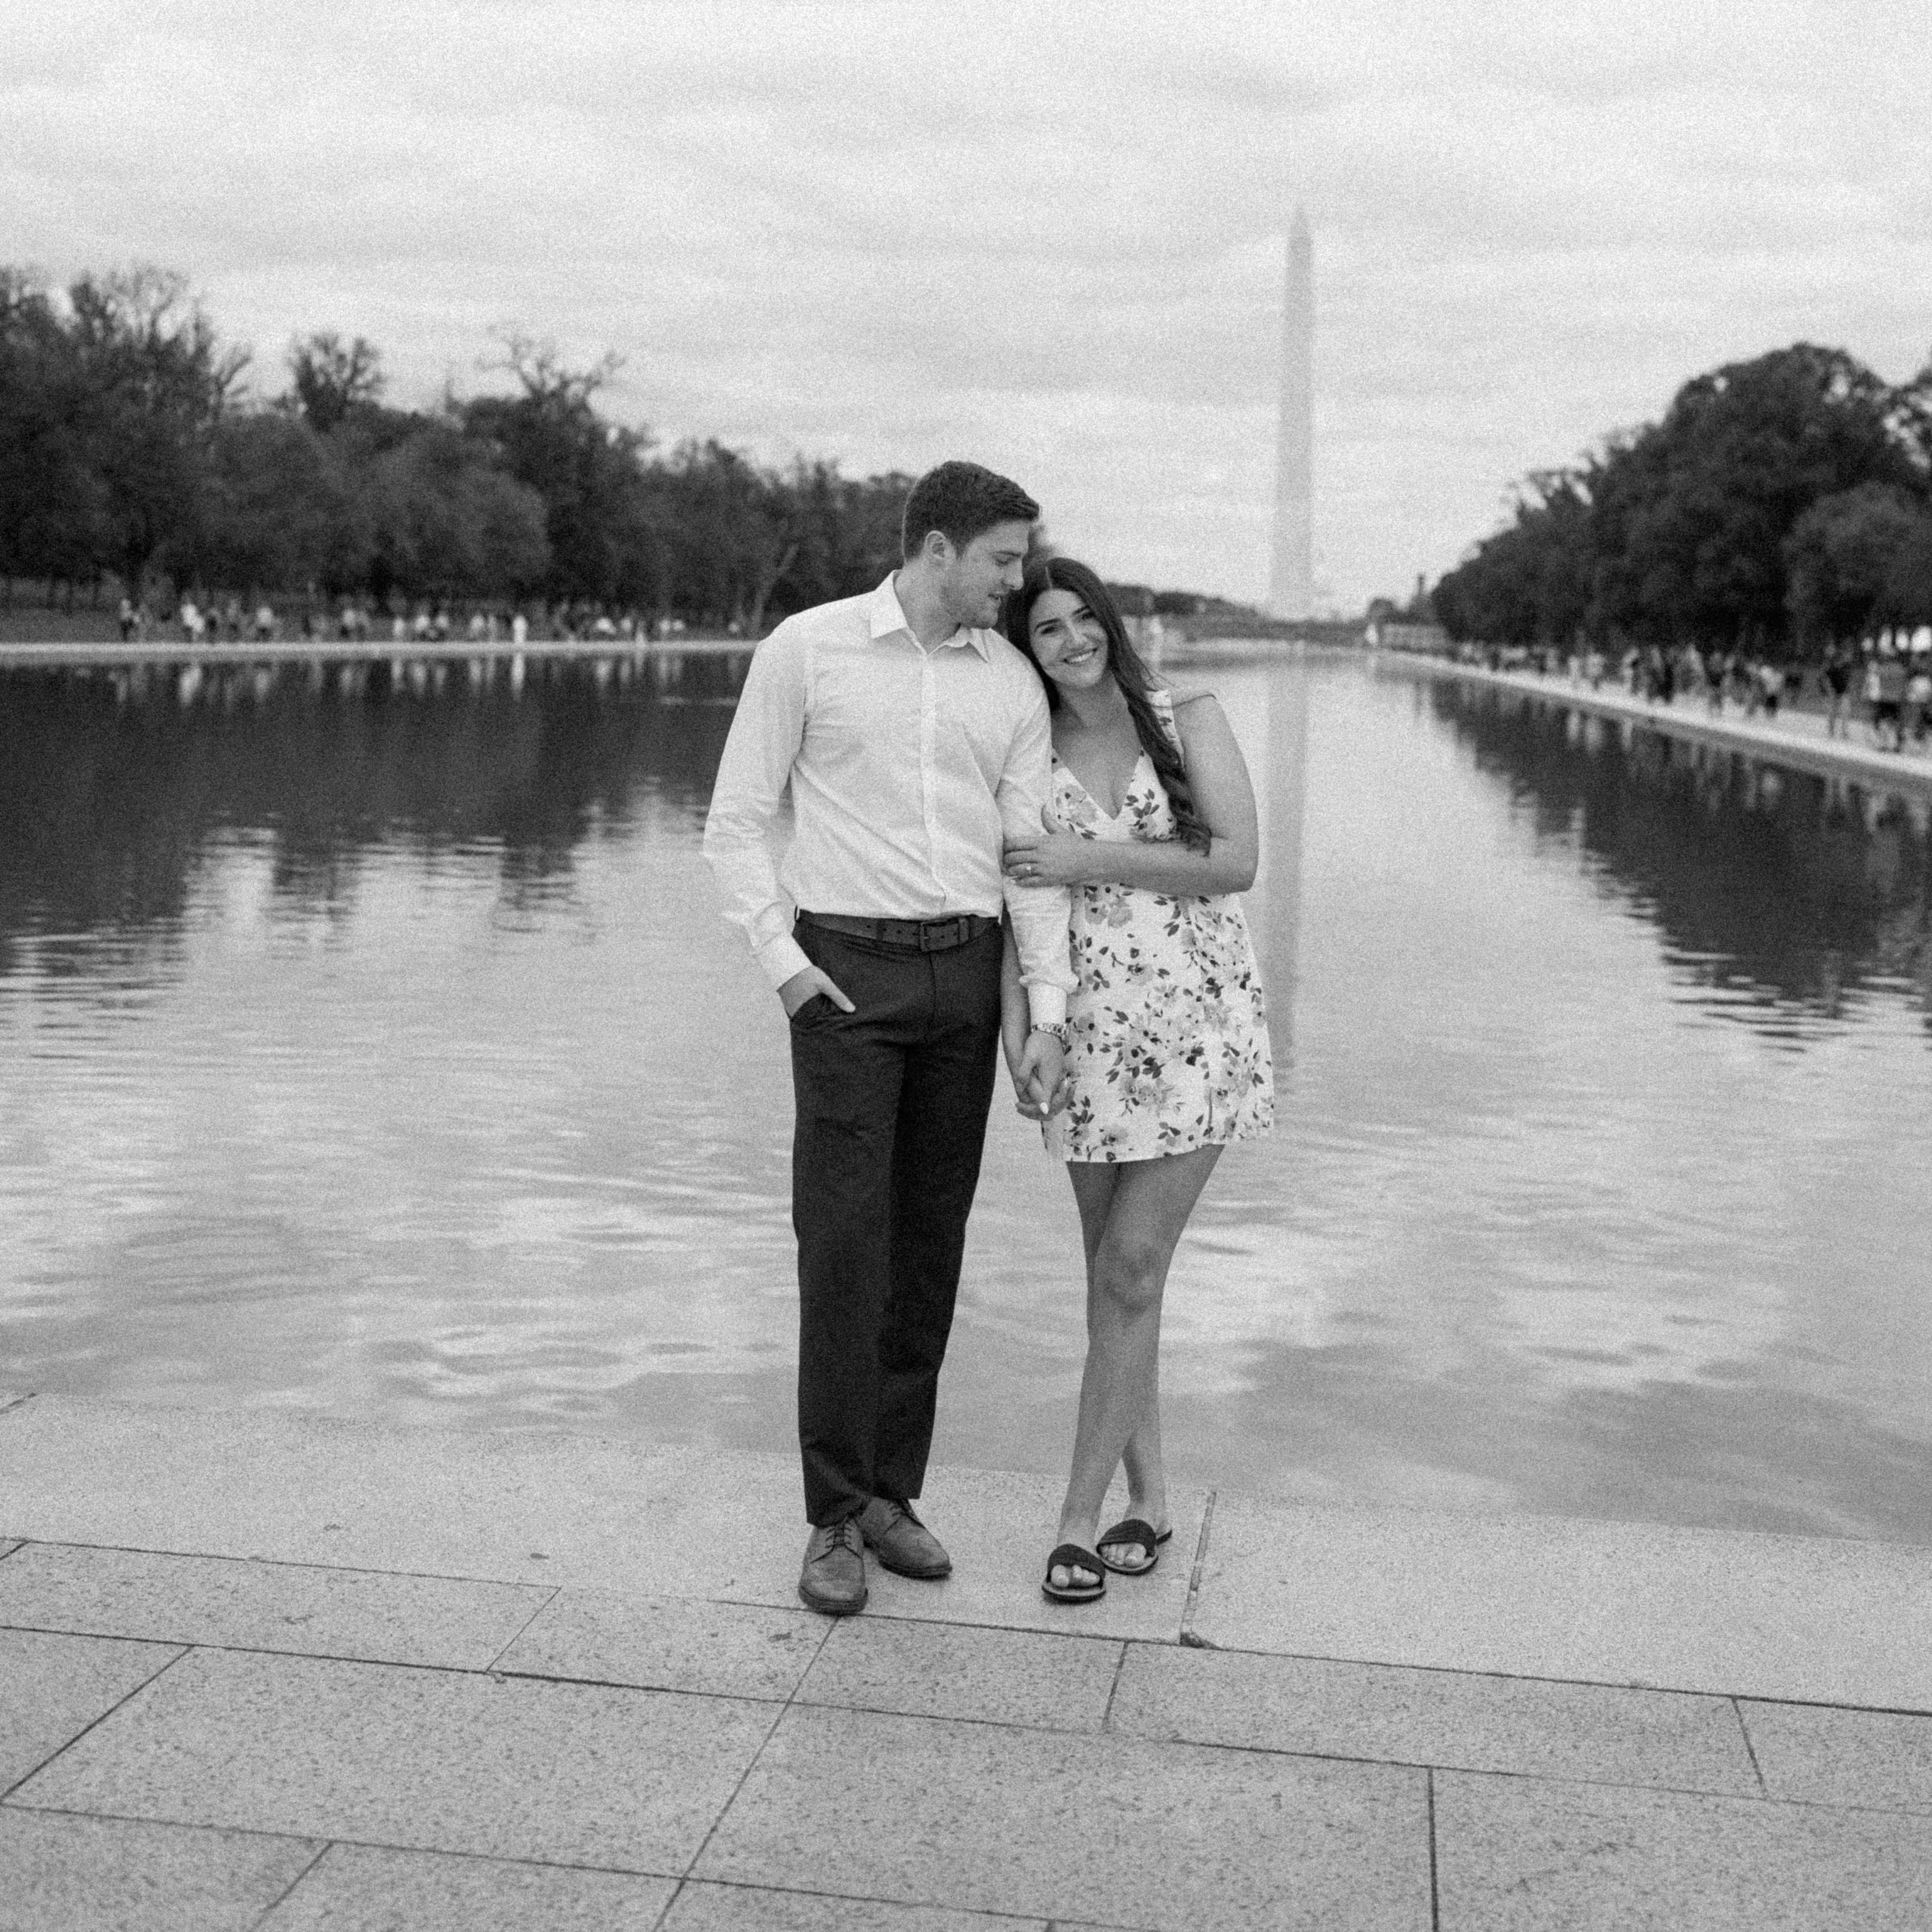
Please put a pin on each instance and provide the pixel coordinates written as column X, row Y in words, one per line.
column 360, row 623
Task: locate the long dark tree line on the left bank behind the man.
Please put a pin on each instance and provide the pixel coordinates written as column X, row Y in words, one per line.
column 134, row 449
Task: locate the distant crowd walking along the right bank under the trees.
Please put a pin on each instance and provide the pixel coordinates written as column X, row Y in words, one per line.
column 1887, row 677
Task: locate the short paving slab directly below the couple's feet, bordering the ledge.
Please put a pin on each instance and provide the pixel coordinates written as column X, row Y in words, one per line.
column 934, row 1670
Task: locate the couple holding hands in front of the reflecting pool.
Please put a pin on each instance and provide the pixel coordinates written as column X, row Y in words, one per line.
column 944, row 776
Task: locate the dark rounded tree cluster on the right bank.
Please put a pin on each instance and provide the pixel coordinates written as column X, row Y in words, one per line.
column 1780, row 505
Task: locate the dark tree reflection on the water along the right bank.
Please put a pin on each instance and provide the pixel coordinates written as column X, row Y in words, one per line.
column 1796, row 892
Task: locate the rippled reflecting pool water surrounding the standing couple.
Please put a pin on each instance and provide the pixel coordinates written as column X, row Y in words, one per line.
column 384, row 1056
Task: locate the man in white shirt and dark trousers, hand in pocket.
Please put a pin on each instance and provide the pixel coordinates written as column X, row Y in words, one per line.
column 915, row 741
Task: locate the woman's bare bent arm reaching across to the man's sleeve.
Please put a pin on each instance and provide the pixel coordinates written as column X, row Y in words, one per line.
column 1224, row 803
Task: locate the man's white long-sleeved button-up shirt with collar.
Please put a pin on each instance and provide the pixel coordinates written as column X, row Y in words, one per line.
column 907, row 768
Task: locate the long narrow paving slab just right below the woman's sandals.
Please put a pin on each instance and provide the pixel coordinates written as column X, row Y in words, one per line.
column 1448, row 1719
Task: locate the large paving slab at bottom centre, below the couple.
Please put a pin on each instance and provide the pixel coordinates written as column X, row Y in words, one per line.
column 1094, row 1831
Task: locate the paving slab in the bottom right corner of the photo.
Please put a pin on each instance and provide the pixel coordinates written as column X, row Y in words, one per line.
column 1523, row 1856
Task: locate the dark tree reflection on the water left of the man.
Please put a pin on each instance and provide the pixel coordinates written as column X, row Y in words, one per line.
column 115, row 785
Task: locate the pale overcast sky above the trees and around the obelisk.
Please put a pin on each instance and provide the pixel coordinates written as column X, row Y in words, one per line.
column 1048, row 237
